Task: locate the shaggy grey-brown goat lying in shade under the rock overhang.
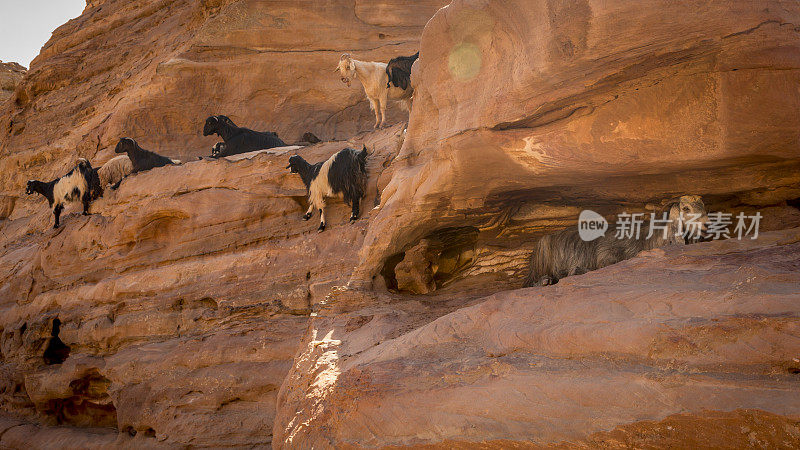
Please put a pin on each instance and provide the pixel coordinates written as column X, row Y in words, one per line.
column 565, row 254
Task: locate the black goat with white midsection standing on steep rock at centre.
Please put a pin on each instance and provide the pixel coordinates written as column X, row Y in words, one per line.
column 343, row 175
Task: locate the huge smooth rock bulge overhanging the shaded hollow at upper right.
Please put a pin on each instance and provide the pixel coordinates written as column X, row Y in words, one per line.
column 527, row 112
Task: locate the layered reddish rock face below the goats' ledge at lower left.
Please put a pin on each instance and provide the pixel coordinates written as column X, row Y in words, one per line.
column 182, row 297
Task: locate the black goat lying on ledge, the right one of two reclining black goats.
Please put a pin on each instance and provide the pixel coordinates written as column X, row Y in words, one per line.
column 238, row 139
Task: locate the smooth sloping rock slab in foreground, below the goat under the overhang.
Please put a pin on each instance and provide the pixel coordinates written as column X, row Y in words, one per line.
column 685, row 329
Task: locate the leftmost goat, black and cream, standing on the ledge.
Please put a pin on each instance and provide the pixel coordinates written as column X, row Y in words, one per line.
column 80, row 184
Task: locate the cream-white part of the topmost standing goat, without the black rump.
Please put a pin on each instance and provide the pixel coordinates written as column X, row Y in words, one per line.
column 372, row 76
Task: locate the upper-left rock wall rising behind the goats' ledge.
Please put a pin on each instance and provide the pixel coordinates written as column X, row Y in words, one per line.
column 154, row 71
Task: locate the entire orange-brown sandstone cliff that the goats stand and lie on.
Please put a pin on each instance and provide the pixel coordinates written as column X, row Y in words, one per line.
column 200, row 310
